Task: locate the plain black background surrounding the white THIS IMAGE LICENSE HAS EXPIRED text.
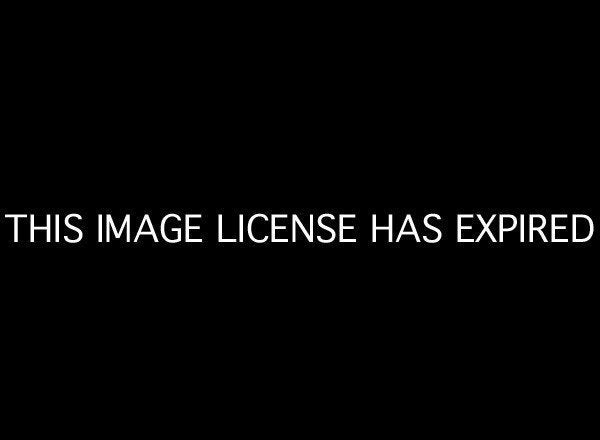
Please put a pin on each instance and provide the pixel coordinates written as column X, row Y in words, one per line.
column 368, row 113
